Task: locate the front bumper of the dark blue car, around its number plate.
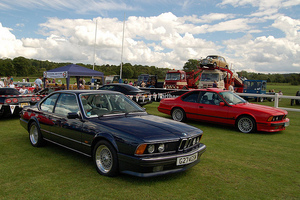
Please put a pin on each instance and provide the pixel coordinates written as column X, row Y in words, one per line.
column 155, row 166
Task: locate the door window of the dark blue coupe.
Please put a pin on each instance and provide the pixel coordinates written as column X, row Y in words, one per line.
column 66, row 103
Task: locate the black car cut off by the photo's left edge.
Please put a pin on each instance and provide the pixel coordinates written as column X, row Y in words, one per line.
column 12, row 101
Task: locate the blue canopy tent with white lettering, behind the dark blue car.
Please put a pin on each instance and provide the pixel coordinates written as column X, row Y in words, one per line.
column 71, row 70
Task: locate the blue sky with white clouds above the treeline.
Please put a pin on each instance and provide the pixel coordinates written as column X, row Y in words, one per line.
column 261, row 36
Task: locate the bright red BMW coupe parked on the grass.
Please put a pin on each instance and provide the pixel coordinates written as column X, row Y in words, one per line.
column 224, row 107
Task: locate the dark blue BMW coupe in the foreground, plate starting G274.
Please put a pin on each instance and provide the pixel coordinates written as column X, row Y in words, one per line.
column 116, row 132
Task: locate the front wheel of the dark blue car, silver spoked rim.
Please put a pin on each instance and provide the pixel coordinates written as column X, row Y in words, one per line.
column 105, row 159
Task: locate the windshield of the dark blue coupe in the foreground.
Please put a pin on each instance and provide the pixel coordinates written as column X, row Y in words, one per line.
column 97, row 105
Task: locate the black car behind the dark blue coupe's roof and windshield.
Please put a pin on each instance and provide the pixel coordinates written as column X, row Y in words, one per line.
column 137, row 95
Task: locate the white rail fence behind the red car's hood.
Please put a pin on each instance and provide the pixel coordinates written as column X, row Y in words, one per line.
column 276, row 98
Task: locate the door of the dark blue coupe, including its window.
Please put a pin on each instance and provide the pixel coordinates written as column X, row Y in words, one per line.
column 67, row 131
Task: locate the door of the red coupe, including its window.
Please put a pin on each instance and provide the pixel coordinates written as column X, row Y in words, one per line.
column 209, row 108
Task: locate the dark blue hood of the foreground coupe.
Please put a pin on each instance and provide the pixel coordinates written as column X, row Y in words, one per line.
column 149, row 127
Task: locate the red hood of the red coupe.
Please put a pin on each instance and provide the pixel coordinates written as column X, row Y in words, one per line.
column 261, row 108
